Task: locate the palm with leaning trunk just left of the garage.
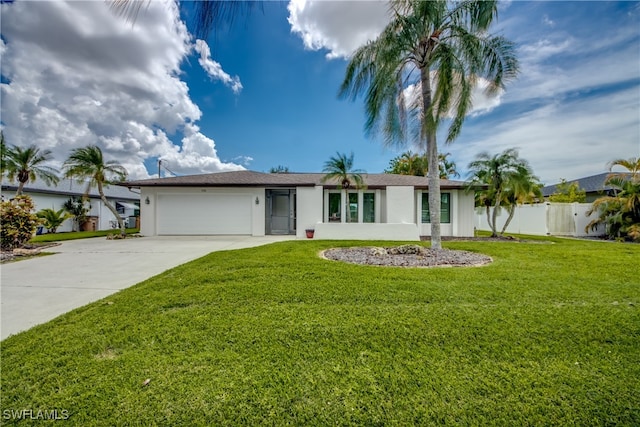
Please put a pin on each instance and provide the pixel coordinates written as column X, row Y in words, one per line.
column 88, row 164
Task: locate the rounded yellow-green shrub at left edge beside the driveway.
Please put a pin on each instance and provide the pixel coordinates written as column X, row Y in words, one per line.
column 18, row 222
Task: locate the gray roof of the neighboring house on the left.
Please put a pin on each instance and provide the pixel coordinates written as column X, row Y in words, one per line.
column 69, row 187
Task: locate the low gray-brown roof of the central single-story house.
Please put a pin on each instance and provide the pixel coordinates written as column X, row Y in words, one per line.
column 260, row 179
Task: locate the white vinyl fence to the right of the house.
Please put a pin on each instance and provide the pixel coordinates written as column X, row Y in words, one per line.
column 542, row 219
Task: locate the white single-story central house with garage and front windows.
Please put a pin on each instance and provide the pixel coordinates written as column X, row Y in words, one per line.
column 390, row 207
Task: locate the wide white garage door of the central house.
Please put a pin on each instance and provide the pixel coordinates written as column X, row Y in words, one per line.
column 203, row 214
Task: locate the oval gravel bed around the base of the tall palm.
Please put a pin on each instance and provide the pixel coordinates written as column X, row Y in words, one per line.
column 406, row 256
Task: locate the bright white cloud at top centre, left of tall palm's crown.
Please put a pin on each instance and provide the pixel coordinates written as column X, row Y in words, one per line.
column 337, row 26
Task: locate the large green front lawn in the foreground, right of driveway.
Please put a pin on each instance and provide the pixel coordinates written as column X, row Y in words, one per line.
column 549, row 334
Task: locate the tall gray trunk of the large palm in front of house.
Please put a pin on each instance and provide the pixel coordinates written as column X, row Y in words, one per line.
column 433, row 177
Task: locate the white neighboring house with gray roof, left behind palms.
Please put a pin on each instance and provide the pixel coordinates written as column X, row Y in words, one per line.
column 125, row 201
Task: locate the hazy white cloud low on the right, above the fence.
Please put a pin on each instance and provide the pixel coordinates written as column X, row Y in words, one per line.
column 569, row 139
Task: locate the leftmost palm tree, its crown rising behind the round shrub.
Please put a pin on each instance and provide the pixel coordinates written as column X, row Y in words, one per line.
column 26, row 164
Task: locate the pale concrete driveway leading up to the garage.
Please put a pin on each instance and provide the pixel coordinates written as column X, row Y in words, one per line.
column 37, row 290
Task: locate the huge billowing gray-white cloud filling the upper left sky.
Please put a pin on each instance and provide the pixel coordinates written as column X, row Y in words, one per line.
column 80, row 75
